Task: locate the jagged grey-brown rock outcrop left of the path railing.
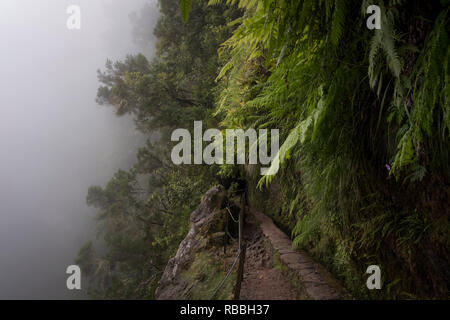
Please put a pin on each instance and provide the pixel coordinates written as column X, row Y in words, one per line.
column 181, row 274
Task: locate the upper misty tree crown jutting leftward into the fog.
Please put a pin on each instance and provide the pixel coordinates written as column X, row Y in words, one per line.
column 175, row 88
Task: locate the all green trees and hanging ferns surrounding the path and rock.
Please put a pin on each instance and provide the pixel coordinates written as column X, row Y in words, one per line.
column 364, row 122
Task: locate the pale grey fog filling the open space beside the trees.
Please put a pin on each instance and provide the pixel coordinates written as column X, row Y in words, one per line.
column 54, row 140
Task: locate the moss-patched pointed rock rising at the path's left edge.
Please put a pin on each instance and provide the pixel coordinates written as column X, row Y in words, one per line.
column 199, row 264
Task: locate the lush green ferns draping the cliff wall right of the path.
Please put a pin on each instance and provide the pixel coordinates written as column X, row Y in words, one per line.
column 350, row 102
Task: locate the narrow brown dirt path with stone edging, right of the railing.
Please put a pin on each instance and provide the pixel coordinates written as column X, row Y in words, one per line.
column 275, row 271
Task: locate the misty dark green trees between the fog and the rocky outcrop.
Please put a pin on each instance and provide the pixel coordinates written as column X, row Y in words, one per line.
column 144, row 212
